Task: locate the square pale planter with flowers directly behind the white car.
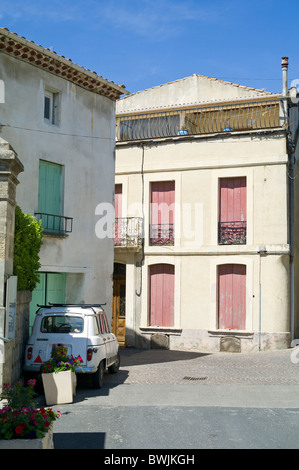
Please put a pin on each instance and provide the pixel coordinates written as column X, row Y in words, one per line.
column 59, row 377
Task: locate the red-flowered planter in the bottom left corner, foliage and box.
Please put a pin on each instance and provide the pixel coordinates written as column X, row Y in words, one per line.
column 22, row 425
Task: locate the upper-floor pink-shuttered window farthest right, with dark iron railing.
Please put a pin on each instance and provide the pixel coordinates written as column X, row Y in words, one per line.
column 232, row 211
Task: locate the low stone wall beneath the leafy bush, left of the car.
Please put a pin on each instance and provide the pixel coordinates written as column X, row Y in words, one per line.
column 14, row 349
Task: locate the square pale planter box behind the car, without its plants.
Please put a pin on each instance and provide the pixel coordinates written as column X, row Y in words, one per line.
column 59, row 387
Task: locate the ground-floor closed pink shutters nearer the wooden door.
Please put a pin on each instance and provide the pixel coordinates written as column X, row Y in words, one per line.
column 162, row 295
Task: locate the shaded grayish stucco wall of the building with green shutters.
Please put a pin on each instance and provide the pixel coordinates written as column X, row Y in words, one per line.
column 83, row 142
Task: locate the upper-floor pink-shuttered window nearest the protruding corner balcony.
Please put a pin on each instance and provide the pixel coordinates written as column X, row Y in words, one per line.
column 162, row 213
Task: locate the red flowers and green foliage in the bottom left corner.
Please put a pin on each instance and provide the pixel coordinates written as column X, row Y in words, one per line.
column 19, row 419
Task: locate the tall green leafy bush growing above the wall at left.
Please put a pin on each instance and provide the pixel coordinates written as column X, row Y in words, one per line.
column 27, row 244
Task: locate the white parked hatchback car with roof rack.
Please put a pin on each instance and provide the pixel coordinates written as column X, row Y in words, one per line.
column 83, row 330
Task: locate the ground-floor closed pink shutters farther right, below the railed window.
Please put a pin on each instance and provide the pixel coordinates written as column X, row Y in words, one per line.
column 232, row 296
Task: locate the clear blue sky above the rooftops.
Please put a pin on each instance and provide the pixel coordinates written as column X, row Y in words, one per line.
column 144, row 43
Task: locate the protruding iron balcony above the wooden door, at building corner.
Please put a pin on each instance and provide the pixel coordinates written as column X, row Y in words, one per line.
column 128, row 233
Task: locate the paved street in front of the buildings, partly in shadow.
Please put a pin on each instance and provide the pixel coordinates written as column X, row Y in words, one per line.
column 186, row 400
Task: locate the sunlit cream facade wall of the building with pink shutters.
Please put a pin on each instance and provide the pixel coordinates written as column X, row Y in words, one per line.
column 196, row 165
